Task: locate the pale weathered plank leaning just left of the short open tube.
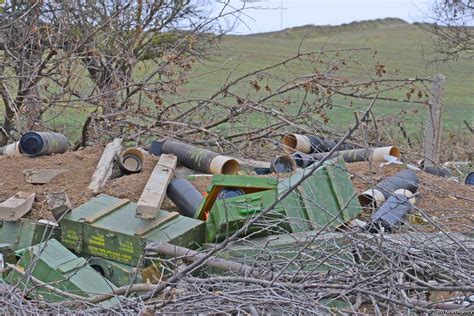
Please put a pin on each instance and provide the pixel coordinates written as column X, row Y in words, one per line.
column 106, row 163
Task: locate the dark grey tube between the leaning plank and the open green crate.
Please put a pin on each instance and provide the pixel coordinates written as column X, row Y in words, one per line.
column 185, row 196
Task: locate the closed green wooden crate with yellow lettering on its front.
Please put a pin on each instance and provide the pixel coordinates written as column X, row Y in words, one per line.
column 107, row 227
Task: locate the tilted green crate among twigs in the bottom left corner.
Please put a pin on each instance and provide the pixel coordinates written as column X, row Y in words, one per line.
column 60, row 268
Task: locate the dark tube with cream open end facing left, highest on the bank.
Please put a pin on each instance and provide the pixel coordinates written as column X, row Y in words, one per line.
column 309, row 144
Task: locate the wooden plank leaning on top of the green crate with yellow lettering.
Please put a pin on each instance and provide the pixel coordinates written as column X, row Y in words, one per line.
column 154, row 193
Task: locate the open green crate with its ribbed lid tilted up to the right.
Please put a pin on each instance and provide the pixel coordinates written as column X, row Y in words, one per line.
column 327, row 198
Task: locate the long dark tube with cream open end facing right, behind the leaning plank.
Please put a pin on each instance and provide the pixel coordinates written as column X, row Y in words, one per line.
column 200, row 159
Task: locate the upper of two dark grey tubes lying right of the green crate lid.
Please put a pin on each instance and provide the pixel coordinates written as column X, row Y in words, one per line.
column 374, row 197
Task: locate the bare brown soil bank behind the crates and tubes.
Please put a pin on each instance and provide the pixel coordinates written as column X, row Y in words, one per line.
column 448, row 203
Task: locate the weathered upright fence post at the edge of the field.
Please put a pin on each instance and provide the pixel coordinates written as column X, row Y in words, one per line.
column 433, row 122
